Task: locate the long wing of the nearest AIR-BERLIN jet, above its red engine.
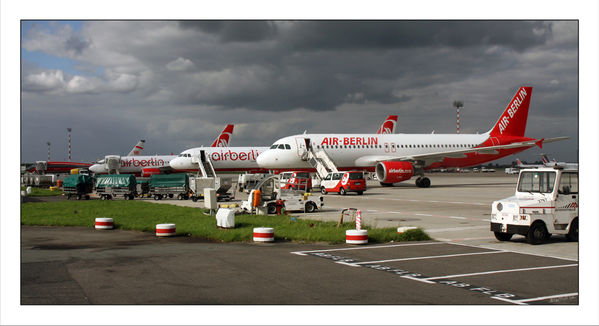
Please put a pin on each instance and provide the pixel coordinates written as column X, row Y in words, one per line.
column 429, row 158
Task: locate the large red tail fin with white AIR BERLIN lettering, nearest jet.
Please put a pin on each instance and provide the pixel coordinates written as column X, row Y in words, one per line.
column 513, row 120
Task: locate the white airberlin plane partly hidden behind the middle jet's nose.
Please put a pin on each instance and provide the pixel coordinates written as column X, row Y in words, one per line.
column 153, row 164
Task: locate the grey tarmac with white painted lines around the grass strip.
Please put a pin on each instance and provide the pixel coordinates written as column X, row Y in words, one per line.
column 464, row 265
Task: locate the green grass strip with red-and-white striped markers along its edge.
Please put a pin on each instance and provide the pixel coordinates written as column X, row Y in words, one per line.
column 143, row 216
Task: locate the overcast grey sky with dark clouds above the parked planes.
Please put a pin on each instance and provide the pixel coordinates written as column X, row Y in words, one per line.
column 176, row 84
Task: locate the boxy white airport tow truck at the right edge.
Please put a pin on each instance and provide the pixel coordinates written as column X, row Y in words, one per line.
column 545, row 203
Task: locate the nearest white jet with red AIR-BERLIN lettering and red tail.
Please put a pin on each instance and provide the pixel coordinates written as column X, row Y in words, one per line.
column 397, row 158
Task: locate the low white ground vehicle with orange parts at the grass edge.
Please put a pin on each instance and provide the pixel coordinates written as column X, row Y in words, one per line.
column 268, row 197
